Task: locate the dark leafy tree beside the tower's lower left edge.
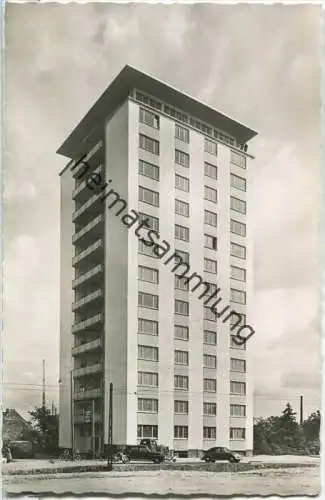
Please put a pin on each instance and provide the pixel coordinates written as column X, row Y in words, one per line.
column 47, row 426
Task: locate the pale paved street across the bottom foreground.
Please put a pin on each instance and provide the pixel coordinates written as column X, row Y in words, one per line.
column 296, row 481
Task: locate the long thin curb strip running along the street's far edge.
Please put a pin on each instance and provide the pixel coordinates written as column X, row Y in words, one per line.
column 216, row 467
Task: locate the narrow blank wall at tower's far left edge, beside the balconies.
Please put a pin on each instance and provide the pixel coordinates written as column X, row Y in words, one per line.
column 66, row 299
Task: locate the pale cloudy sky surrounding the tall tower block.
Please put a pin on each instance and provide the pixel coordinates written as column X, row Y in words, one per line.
column 257, row 63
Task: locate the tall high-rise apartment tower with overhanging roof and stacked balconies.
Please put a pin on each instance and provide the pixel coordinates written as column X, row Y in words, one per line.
column 150, row 152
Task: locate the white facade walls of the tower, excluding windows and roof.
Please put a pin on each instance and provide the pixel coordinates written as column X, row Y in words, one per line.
column 192, row 431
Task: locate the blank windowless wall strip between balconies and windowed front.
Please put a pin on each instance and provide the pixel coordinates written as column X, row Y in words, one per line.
column 116, row 280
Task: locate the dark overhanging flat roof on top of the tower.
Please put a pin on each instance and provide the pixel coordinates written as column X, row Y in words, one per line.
column 120, row 88
